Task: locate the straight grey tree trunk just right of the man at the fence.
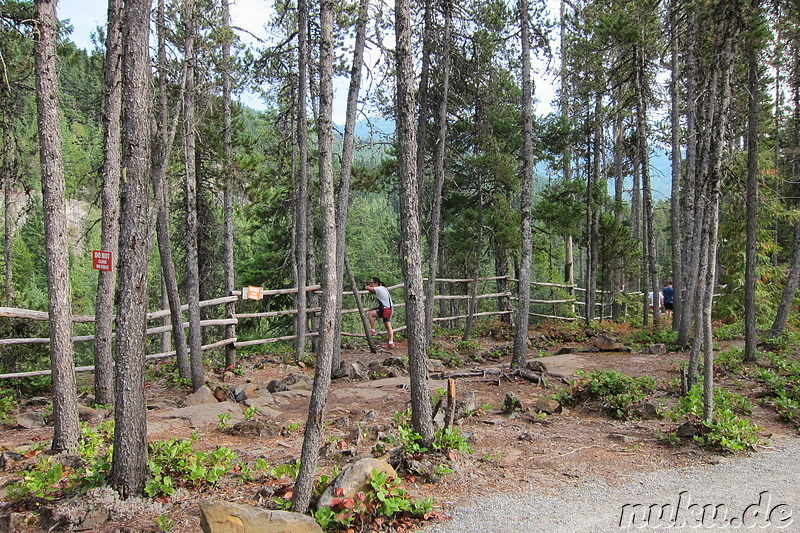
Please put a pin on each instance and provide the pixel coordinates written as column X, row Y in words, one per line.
column 410, row 234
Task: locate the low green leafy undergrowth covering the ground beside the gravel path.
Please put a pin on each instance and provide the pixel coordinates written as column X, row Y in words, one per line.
column 44, row 490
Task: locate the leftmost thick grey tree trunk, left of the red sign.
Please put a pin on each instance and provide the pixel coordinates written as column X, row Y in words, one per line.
column 65, row 410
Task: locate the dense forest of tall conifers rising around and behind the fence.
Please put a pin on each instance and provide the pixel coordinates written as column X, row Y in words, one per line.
column 142, row 149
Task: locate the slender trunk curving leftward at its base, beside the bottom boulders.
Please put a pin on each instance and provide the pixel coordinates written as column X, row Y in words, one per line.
column 331, row 291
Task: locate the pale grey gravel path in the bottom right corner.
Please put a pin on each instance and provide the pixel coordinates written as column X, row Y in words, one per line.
column 758, row 493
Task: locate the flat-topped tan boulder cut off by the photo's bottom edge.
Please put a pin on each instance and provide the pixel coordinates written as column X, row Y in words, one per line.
column 226, row 517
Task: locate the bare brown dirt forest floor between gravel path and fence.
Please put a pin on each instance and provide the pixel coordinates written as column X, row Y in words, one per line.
column 516, row 452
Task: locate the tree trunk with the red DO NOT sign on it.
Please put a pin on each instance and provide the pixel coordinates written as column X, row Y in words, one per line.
column 107, row 280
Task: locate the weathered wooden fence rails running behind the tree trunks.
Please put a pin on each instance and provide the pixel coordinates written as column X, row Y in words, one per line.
column 456, row 303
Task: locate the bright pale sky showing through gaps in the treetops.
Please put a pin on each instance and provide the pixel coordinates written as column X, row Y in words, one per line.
column 250, row 15
